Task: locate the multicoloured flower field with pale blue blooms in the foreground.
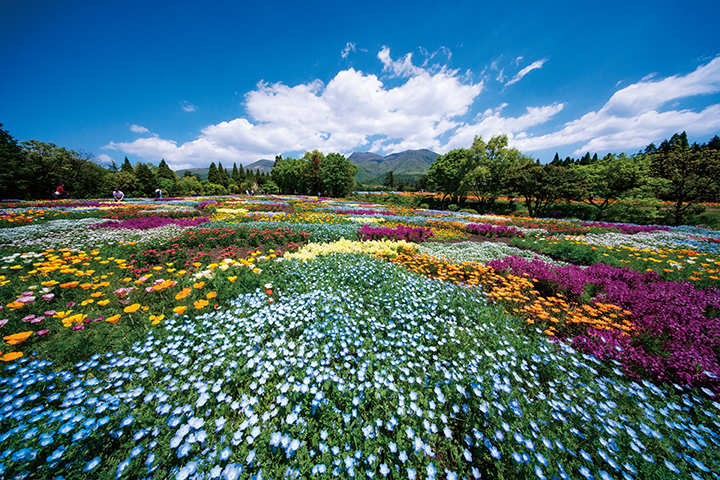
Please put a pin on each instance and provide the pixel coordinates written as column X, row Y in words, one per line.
column 297, row 337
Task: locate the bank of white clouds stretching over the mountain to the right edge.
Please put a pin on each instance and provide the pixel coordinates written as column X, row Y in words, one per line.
column 406, row 106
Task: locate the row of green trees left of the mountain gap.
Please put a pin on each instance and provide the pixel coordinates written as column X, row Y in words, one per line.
column 33, row 170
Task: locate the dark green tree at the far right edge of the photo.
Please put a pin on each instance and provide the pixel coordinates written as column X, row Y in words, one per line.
column 692, row 174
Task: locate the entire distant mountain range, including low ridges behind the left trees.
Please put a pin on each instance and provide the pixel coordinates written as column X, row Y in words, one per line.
column 372, row 168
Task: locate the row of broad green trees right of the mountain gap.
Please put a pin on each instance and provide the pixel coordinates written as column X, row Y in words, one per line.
column 676, row 171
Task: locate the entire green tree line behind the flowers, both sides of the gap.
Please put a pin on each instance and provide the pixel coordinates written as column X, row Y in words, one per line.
column 676, row 171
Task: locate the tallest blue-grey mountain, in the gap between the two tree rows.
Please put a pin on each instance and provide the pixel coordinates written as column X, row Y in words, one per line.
column 407, row 165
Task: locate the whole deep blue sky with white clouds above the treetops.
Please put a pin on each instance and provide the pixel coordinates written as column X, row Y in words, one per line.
column 233, row 82
